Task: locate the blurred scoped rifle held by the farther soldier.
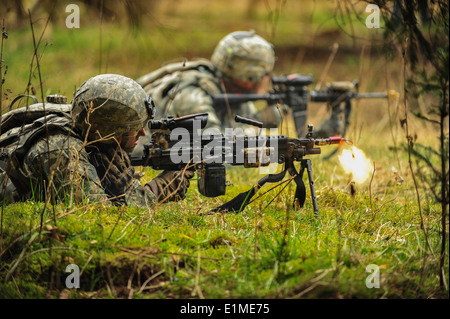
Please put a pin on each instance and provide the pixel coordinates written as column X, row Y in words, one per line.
column 292, row 91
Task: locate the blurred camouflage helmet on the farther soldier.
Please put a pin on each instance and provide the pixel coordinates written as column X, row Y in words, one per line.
column 244, row 56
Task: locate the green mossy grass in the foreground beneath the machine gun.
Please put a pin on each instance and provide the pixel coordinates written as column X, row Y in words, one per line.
column 274, row 252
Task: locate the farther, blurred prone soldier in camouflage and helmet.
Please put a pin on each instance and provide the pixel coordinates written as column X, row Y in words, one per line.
column 241, row 63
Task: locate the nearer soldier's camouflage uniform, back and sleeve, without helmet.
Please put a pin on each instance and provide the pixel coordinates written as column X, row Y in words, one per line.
column 59, row 159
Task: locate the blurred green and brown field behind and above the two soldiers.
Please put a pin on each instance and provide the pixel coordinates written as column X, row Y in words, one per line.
column 135, row 37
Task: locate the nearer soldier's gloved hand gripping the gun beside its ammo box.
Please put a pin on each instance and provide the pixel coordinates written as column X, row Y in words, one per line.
column 171, row 185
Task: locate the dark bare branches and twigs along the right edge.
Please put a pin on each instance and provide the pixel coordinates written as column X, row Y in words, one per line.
column 421, row 29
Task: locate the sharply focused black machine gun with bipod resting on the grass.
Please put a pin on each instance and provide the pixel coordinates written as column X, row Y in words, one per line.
column 179, row 144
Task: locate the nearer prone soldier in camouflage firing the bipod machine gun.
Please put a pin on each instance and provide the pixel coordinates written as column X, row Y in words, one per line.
column 83, row 154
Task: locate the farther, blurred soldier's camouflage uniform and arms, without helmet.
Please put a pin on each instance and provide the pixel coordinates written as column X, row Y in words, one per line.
column 184, row 88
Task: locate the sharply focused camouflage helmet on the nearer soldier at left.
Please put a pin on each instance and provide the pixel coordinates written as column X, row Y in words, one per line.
column 109, row 105
